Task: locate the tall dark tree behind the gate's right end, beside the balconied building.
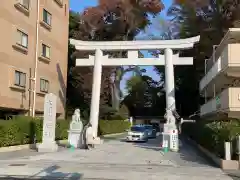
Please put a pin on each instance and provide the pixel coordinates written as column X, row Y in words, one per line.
column 210, row 19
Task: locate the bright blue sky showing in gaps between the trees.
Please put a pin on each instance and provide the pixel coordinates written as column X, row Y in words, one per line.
column 80, row 5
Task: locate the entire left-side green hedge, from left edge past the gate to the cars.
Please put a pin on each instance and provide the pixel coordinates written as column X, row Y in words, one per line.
column 21, row 130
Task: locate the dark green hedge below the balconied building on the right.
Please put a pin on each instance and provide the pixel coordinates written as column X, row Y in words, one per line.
column 213, row 134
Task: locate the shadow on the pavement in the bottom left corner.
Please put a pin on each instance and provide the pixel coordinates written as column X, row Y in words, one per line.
column 49, row 173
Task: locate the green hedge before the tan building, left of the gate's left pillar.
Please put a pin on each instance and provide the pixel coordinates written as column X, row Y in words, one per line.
column 22, row 129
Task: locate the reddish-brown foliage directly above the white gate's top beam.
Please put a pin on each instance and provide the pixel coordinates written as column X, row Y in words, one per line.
column 131, row 14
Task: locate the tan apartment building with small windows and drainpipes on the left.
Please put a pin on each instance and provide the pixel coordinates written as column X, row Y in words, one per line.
column 33, row 55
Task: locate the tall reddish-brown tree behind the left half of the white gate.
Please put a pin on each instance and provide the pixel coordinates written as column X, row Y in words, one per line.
column 109, row 20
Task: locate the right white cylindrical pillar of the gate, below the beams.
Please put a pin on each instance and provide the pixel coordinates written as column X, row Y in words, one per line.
column 169, row 80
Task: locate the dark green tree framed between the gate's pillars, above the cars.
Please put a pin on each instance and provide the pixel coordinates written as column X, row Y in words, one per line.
column 144, row 96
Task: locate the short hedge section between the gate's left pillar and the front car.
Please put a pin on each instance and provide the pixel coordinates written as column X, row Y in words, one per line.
column 112, row 126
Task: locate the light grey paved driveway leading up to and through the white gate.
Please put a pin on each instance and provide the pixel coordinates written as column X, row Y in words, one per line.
column 115, row 160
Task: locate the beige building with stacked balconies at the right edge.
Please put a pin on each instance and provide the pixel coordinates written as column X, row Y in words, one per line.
column 221, row 83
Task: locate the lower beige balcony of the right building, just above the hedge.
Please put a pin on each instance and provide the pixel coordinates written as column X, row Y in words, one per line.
column 224, row 104
